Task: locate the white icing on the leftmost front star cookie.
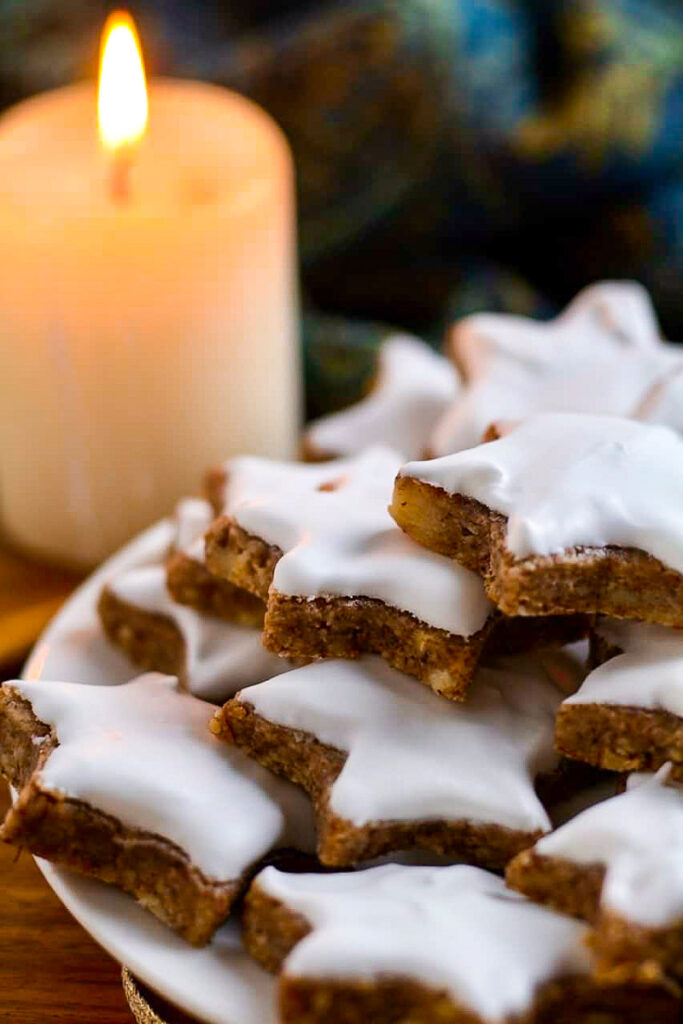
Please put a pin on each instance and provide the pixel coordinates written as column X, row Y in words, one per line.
column 143, row 752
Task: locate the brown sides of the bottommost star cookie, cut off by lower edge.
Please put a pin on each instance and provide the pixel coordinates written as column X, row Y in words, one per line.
column 271, row 930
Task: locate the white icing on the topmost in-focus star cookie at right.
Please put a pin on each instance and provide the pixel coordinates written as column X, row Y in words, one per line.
column 567, row 480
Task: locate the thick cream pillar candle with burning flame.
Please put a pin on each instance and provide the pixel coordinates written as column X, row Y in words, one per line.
column 148, row 302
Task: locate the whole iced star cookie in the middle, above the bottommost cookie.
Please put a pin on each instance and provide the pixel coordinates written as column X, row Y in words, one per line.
column 391, row 766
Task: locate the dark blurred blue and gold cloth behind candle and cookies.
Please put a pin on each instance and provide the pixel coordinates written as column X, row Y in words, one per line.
column 451, row 156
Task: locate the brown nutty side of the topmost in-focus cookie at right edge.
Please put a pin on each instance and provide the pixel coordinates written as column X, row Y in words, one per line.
column 619, row 582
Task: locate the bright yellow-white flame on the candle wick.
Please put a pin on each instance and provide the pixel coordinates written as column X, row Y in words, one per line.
column 122, row 94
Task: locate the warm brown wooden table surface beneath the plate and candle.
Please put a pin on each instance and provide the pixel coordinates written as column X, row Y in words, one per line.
column 52, row 972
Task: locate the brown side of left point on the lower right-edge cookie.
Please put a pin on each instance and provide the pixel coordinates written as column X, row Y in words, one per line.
column 561, row 884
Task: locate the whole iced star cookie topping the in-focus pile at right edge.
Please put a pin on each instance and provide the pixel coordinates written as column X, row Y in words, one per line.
column 565, row 514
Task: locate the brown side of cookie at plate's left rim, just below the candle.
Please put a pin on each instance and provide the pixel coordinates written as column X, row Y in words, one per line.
column 153, row 643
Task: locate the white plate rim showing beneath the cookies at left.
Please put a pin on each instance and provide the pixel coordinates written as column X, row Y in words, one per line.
column 219, row 985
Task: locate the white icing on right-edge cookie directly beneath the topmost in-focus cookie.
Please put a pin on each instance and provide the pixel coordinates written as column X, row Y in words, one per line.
column 649, row 674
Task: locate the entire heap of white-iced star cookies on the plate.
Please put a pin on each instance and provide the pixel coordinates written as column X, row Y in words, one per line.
column 383, row 684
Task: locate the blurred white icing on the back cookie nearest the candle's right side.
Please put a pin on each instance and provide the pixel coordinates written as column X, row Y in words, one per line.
column 415, row 387
